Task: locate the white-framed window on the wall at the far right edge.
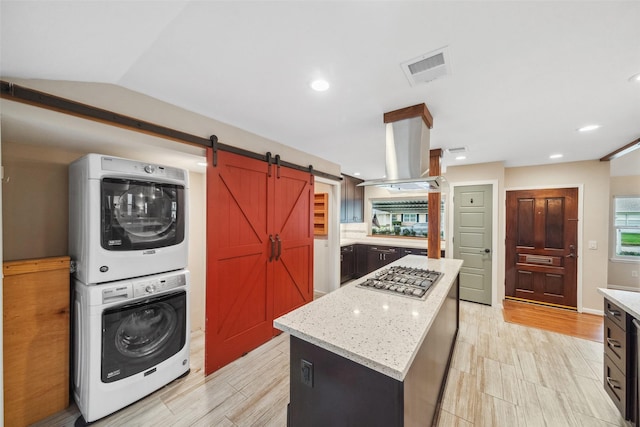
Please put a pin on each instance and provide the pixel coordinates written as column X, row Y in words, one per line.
column 626, row 224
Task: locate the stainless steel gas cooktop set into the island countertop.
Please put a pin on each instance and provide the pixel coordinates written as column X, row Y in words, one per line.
column 405, row 281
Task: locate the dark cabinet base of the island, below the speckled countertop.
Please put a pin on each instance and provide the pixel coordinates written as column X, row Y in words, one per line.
column 327, row 389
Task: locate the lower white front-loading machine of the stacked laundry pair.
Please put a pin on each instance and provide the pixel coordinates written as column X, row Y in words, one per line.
column 132, row 338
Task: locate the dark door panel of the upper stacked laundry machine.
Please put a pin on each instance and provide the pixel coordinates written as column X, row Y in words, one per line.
column 139, row 215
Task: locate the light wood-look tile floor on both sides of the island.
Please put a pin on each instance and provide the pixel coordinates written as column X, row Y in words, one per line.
column 502, row 374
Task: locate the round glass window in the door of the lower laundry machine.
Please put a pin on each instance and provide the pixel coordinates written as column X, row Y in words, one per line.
column 147, row 330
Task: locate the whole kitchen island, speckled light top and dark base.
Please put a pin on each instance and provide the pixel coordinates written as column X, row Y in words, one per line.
column 360, row 356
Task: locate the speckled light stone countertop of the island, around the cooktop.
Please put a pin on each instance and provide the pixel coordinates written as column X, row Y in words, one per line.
column 379, row 330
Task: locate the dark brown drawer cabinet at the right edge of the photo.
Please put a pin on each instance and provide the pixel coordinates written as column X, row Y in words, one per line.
column 619, row 361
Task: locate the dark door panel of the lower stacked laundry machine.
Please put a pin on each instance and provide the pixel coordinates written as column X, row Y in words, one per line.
column 140, row 335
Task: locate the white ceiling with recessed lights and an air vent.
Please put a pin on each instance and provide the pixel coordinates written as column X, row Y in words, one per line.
column 524, row 74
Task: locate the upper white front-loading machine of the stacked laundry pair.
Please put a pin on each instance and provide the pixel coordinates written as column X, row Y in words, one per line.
column 126, row 218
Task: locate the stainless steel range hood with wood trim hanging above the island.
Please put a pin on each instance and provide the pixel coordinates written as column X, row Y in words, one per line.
column 408, row 152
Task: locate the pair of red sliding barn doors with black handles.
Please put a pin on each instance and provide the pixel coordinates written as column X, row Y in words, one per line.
column 259, row 252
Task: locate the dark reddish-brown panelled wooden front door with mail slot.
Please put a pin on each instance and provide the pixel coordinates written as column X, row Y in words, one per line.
column 541, row 246
